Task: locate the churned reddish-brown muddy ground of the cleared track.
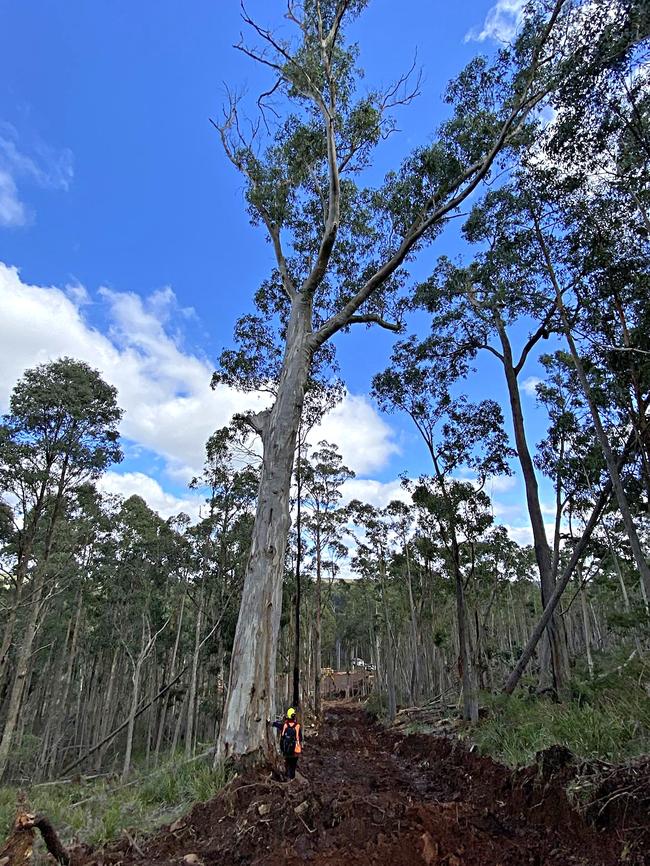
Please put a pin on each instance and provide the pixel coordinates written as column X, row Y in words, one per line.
column 370, row 796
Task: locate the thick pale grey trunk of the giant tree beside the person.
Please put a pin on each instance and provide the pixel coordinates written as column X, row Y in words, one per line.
column 250, row 703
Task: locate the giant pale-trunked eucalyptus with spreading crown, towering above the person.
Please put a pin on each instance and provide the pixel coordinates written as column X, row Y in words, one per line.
column 340, row 251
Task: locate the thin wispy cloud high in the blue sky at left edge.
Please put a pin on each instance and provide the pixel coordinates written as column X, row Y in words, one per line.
column 42, row 166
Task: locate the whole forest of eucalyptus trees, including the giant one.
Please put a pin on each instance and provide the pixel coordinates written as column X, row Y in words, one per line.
column 127, row 638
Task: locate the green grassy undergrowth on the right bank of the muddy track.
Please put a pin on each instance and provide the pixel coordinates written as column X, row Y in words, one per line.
column 606, row 718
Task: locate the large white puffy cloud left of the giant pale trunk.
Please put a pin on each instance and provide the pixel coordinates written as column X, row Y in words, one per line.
column 169, row 405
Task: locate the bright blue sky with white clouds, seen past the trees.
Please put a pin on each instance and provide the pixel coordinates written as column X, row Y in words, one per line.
column 126, row 225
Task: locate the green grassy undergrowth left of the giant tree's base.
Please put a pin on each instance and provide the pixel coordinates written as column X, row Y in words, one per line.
column 98, row 811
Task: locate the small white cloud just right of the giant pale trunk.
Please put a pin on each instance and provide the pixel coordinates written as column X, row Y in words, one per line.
column 365, row 440
